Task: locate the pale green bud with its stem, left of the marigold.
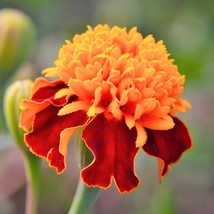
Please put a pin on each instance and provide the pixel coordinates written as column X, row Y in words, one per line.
column 13, row 95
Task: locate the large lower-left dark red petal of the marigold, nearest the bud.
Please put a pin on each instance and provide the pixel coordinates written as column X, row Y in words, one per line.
column 45, row 137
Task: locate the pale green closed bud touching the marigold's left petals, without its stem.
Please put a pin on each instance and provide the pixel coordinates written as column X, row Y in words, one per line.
column 13, row 95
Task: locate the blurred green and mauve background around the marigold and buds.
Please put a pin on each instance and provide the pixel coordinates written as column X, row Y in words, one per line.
column 187, row 28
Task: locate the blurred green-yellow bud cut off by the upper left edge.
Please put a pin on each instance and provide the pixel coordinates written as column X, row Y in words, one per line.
column 17, row 37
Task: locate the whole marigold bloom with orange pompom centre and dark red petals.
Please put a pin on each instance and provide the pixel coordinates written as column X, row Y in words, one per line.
column 124, row 90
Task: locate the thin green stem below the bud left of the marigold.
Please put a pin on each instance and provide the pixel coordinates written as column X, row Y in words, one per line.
column 33, row 172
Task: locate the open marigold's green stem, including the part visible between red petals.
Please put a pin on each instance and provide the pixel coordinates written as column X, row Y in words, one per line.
column 85, row 197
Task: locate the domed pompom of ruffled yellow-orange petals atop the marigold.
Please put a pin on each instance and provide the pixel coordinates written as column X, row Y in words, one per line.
column 139, row 70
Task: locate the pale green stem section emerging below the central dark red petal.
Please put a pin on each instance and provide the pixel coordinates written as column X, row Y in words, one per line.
column 84, row 199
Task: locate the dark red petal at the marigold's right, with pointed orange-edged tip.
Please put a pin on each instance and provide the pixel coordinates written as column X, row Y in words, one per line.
column 168, row 145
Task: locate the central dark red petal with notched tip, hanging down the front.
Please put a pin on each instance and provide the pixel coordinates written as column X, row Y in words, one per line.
column 113, row 147
